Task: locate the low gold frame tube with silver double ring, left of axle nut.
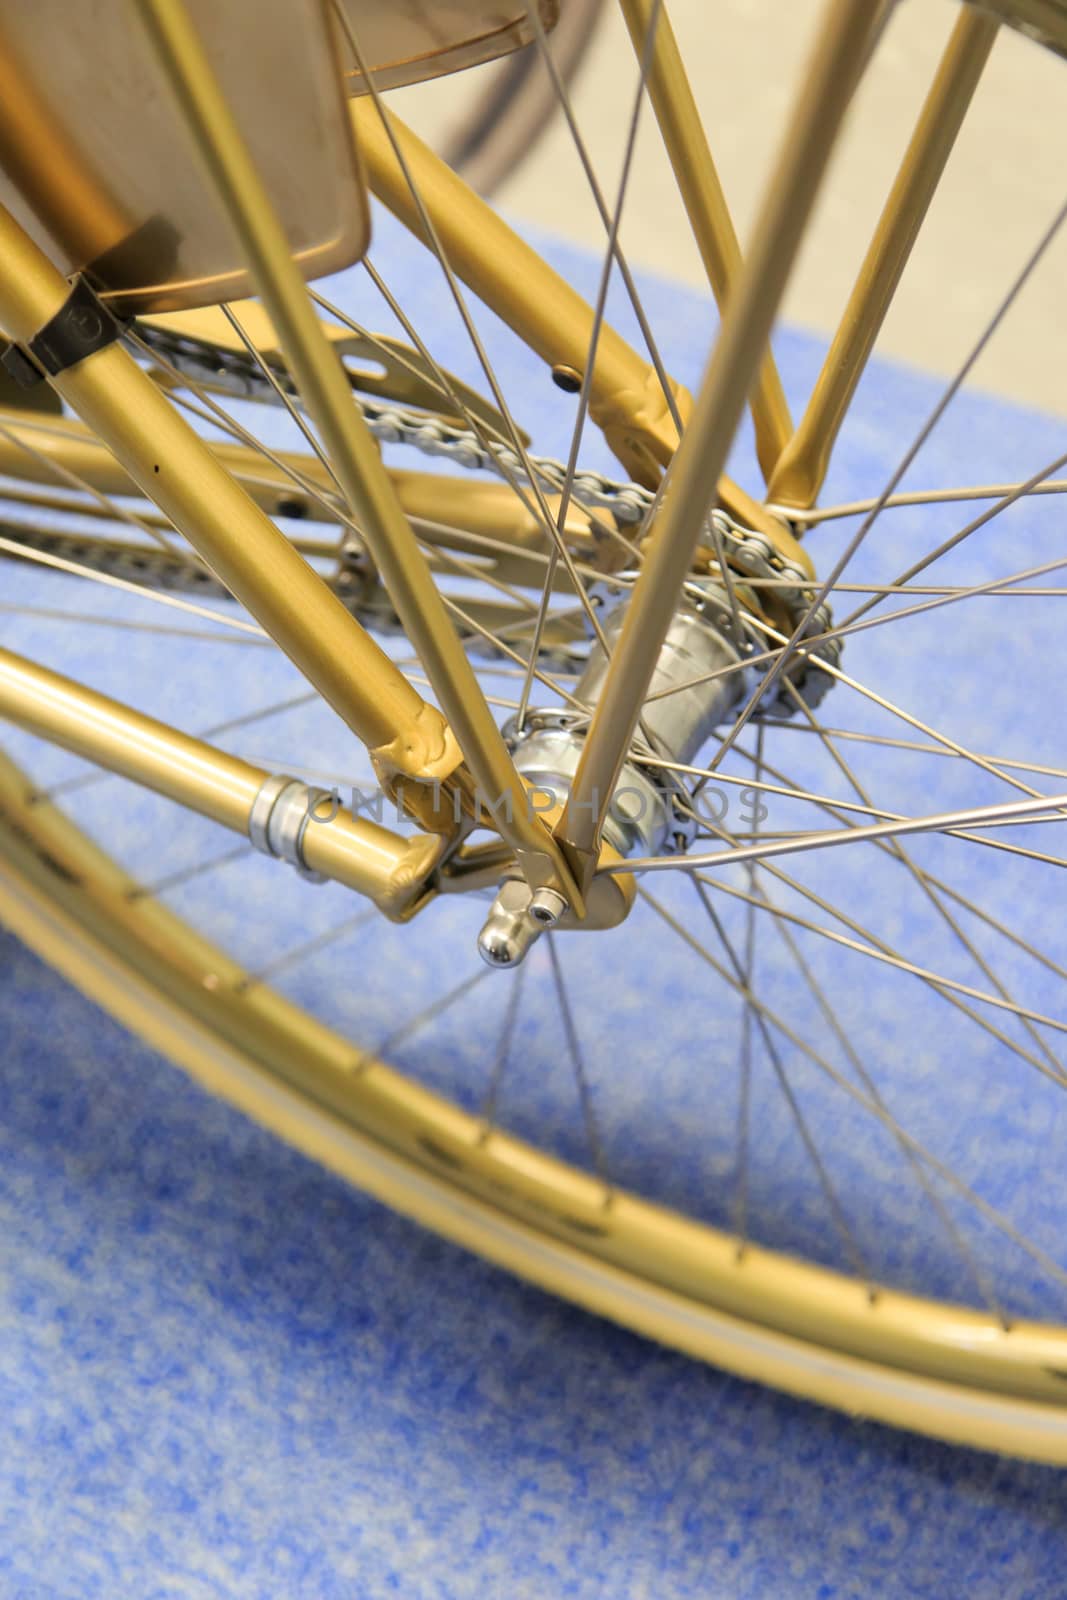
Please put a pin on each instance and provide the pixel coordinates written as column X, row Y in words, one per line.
column 356, row 852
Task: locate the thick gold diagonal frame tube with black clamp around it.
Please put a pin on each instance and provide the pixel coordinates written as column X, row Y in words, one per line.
column 177, row 470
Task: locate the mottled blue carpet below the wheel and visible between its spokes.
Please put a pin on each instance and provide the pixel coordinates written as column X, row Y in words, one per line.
column 226, row 1375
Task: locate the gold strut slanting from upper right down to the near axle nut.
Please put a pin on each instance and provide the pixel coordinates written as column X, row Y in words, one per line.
column 828, row 87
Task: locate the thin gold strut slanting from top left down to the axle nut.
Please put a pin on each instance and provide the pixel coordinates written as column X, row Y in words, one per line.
column 351, row 447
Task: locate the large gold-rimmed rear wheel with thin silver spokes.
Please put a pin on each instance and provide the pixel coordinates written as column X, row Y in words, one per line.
column 583, row 1182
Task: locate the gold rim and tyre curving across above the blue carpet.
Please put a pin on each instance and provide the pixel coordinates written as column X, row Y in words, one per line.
column 943, row 1370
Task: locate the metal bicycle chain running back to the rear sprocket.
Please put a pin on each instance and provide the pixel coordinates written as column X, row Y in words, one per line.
column 751, row 554
